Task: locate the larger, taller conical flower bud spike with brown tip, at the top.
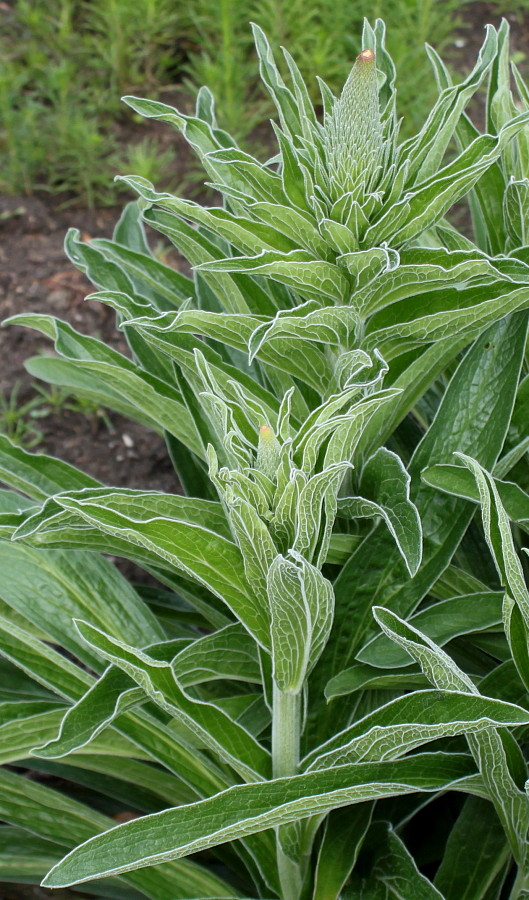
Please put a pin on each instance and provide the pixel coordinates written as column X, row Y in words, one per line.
column 354, row 138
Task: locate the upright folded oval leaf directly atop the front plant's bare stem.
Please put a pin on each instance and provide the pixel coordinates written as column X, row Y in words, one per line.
column 301, row 607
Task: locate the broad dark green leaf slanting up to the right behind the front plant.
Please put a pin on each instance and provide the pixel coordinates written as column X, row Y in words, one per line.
column 475, row 410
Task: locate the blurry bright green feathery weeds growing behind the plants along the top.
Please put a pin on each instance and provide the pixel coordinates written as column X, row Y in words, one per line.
column 64, row 65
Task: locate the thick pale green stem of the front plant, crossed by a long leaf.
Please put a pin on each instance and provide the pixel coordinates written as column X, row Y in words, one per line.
column 286, row 720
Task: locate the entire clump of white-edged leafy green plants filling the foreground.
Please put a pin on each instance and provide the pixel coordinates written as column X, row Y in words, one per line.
column 327, row 689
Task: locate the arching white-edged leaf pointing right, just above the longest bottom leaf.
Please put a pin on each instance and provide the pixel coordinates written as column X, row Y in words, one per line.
column 409, row 721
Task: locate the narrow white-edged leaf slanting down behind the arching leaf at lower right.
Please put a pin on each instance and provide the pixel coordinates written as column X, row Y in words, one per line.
column 511, row 804
